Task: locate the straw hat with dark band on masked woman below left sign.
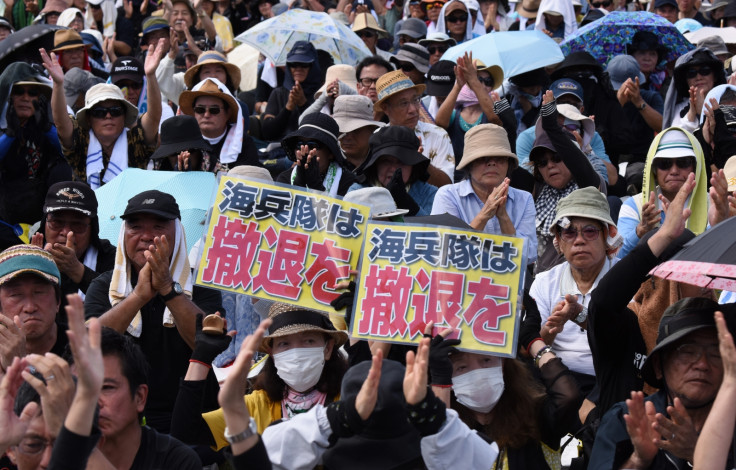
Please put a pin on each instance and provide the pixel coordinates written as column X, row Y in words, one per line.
column 290, row 319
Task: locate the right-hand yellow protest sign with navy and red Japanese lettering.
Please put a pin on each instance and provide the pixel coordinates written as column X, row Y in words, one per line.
column 411, row 275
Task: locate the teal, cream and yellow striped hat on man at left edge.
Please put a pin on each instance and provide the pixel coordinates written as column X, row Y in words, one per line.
column 21, row 259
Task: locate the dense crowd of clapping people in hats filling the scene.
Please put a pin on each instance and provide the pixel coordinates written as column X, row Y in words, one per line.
column 604, row 167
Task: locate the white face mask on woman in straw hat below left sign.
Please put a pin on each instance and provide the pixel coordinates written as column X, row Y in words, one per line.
column 300, row 368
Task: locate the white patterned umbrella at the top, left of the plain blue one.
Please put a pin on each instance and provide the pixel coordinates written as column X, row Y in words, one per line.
column 276, row 36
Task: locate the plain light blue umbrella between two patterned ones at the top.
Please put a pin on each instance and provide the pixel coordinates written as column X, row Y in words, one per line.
column 515, row 52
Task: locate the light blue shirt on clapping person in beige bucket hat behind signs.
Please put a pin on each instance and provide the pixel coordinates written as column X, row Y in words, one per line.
column 460, row 200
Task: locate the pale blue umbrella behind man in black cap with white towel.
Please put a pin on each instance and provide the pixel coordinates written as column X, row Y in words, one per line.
column 192, row 190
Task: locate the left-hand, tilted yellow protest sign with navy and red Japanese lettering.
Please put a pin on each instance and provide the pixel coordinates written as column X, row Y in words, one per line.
column 280, row 243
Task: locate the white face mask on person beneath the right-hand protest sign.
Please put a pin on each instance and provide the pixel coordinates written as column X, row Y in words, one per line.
column 479, row 389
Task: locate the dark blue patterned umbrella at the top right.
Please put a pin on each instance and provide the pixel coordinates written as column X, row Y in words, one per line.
column 610, row 35
